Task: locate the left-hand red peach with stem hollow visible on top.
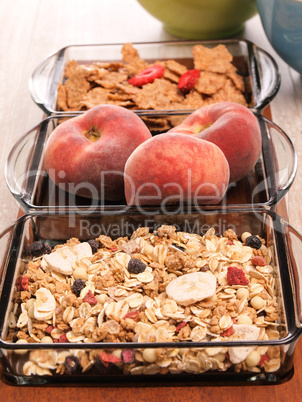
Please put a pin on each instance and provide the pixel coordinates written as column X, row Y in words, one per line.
column 86, row 155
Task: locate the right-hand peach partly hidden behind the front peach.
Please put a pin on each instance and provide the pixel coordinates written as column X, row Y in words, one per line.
column 233, row 128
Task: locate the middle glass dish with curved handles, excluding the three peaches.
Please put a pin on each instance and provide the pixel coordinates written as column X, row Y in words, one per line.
column 28, row 180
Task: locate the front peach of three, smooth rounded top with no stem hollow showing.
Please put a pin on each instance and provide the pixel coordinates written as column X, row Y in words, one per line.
column 170, row 168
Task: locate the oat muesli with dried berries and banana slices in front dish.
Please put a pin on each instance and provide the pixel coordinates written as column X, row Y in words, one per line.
column 117, row 291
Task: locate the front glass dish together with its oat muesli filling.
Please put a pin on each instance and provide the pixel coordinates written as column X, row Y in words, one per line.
column 175, row 355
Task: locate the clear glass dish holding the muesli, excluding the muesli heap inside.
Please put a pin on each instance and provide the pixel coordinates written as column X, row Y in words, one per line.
column 282, row 241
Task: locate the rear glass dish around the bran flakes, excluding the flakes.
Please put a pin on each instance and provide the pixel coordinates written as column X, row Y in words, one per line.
column 257, row 67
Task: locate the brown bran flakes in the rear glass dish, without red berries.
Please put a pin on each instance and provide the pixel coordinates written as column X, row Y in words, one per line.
column 88, row 85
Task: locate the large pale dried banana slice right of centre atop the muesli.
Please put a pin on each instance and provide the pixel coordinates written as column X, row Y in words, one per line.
column 190, row 288
